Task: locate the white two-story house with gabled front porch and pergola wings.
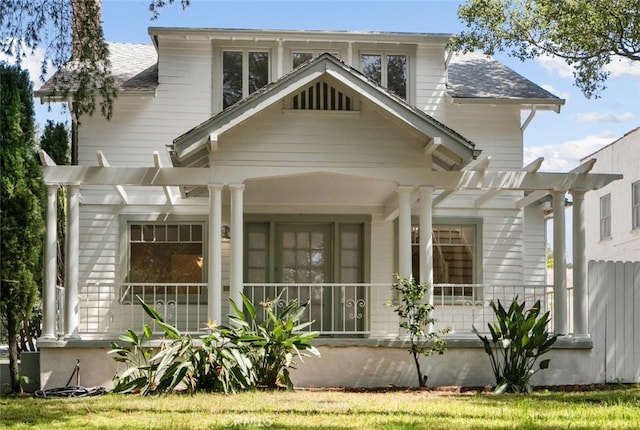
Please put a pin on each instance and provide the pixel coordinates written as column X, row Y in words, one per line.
column 318, row 163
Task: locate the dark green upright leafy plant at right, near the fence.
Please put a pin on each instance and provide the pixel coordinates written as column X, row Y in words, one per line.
column 518, row 339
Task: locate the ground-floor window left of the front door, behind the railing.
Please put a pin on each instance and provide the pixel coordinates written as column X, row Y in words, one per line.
column 170, row 253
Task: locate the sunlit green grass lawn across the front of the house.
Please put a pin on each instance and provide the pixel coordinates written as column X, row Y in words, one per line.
column 611, row 408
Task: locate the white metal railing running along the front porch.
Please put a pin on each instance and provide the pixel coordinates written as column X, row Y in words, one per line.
column 348, row 310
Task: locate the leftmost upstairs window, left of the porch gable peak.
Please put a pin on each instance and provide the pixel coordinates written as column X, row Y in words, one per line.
column 244, row 72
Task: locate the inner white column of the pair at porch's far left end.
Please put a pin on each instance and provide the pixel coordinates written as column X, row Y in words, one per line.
column 71, row 299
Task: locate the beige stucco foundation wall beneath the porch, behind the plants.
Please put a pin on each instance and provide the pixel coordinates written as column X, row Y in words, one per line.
column 345, row 363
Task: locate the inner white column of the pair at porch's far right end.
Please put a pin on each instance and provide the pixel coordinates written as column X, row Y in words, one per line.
column 559, row 264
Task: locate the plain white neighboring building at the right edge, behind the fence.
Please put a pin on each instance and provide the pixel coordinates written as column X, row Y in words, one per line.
column 613, row 212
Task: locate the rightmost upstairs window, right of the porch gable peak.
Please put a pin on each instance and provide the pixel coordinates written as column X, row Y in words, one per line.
column 389, row 70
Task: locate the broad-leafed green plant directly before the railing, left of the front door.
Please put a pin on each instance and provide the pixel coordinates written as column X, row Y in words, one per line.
column 275, row 341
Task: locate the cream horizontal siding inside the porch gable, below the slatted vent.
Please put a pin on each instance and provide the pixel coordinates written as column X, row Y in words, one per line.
column 314, row 138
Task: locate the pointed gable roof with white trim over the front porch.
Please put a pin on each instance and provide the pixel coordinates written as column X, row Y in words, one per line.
column 455, row 151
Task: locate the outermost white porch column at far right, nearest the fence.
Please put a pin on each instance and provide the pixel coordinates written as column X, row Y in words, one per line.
column 580, row 302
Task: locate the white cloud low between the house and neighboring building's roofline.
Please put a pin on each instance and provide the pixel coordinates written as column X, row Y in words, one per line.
column 565, row 156
